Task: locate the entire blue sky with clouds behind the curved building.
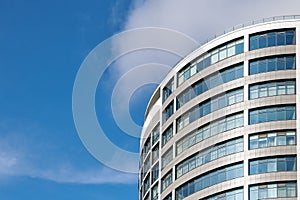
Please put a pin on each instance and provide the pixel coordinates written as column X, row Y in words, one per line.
column 42, row 47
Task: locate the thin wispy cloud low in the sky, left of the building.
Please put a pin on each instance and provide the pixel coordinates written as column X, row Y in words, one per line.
column 24, row 153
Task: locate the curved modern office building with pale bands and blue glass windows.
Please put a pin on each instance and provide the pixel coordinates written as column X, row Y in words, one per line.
column 223, row 123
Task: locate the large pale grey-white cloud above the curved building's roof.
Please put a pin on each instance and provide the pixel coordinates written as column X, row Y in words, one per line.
column 199, row 19
